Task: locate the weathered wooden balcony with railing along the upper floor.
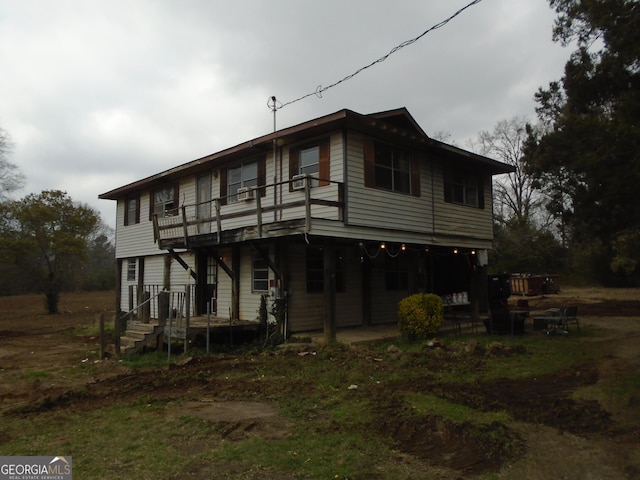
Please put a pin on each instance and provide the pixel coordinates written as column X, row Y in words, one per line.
column 278, row 209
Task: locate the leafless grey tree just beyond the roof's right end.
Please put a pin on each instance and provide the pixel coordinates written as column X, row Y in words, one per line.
column 514, row 194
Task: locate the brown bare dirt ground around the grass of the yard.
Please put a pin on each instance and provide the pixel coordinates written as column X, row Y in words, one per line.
column 561, row 430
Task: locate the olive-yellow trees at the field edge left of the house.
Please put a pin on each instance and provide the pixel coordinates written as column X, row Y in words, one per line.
column 49, row 243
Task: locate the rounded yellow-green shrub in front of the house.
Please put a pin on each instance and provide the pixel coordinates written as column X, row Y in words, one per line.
column 420, row 315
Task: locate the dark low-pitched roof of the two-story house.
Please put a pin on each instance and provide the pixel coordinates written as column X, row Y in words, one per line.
column 394, row 125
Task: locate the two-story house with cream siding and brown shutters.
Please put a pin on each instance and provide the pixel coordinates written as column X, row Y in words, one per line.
column 345, row 214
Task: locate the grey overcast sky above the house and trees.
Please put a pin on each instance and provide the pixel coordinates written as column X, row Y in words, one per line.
column 97, row 94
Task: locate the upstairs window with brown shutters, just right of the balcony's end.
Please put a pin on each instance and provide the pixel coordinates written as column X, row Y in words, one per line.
column 388, row 167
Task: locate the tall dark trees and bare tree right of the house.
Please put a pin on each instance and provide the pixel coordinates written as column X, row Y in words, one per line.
column 570, row 206
